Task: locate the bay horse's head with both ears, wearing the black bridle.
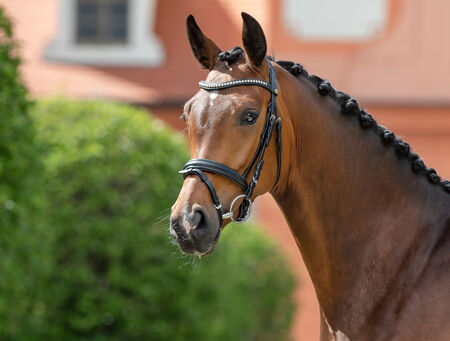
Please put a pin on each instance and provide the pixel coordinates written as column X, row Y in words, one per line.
column 234, row 128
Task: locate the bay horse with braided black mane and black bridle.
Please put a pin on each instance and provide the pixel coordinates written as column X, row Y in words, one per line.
column 370, row 218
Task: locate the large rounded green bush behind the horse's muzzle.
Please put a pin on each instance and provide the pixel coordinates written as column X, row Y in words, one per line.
column 111, row 171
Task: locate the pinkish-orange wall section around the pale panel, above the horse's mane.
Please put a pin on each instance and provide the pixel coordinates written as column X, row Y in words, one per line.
column 408, row 62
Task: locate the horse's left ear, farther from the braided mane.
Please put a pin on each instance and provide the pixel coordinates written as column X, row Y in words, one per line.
column 205, row 50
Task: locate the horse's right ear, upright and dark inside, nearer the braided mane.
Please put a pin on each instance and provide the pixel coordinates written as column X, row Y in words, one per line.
column 253, row 39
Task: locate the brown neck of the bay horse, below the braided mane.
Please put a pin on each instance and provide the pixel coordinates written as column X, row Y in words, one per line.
column 358, row 214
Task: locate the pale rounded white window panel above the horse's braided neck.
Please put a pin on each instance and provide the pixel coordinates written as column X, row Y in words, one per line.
column 331, row 20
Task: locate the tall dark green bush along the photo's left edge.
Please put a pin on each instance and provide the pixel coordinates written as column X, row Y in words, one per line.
column 23, row 258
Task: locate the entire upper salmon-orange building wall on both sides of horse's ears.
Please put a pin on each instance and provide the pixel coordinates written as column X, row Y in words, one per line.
column 408, row 62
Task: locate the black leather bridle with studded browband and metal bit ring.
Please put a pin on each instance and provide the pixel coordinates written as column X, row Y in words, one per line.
column 199, row 166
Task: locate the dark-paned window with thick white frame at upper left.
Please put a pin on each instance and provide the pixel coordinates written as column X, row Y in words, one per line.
column 106, row 32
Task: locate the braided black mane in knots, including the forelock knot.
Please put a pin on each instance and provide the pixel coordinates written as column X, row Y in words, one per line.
column 350, row 107
